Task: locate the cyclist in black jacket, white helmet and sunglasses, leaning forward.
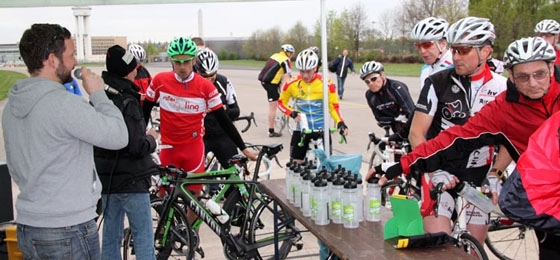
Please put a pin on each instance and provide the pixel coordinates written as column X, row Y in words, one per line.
column 388, row 99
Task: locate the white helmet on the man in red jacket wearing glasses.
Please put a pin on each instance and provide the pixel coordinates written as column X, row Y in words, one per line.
column 528, row 49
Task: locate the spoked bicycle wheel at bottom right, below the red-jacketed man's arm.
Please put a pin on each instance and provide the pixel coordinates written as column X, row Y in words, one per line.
column 509, row 240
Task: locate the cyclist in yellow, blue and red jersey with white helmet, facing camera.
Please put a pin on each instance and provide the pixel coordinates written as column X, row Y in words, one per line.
column 307, row 91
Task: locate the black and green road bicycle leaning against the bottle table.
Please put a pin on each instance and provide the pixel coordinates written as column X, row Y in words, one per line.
column 244, row 235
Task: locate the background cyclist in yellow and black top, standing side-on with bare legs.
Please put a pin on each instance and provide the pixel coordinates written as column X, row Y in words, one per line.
column 276, row 71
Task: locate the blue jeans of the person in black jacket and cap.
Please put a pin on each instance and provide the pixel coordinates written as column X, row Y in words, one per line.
column 138, row 211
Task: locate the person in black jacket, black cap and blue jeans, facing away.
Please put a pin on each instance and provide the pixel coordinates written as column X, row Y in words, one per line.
column 125, row 174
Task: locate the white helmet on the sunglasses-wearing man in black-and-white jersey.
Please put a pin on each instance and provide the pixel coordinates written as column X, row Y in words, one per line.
column 471, row 31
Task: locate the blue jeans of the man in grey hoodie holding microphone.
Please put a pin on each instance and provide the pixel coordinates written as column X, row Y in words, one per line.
column 74, row 242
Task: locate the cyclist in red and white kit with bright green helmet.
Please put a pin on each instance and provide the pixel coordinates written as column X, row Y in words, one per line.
column 185, row 98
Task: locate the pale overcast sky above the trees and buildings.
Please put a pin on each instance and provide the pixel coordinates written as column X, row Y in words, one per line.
column 163, row 22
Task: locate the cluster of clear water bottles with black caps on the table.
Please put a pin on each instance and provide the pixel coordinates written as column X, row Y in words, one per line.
column 335, row 196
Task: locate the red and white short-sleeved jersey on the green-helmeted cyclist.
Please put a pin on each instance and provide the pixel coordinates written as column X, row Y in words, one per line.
column 183, row 105
